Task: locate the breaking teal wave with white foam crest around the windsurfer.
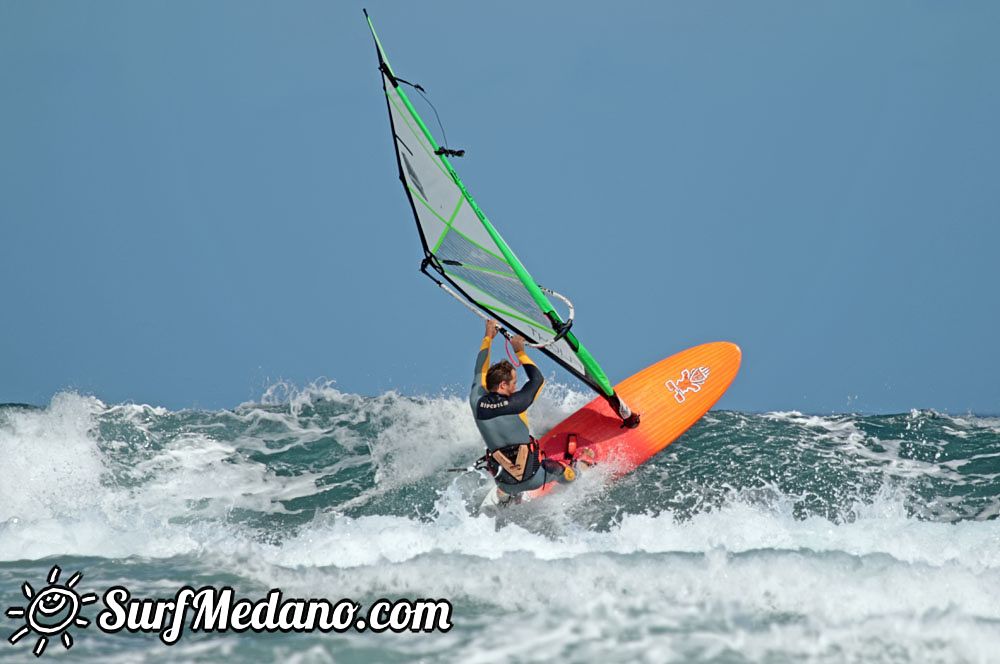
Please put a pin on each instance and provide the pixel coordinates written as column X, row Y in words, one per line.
column 320, row 471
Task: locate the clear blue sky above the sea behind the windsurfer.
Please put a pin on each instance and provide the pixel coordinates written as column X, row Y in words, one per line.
column 200, row 198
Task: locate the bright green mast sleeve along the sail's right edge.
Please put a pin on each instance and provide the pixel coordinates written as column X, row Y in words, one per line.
column 592, row 368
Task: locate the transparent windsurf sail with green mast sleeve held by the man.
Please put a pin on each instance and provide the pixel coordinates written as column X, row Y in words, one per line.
column 463, row 252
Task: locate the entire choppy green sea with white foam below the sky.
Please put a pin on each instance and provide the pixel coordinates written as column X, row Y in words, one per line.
column 771, row 537
